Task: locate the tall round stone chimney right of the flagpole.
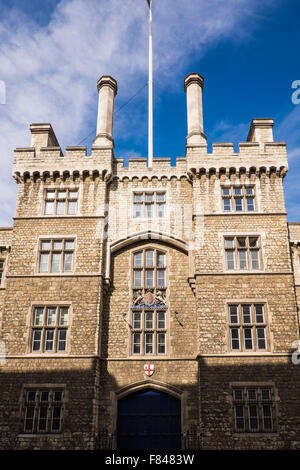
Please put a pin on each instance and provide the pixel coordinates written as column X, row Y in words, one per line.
column 193, row 86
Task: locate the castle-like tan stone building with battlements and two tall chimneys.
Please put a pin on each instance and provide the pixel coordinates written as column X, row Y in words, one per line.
column 150, row 308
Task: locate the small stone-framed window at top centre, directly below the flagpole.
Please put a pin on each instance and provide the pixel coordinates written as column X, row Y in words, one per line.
column 149, row 204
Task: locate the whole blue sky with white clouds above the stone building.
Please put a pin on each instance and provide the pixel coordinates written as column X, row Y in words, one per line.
column 53, row 52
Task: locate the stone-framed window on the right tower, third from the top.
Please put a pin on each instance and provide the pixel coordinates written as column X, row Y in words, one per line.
column 248, row 327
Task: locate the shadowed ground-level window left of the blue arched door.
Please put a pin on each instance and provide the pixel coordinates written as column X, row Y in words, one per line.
column 42, row 410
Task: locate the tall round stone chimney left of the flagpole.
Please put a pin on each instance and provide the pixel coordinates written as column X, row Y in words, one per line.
column 107, row 90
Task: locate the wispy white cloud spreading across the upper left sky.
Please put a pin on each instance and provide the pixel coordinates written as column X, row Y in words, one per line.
column 51, row 71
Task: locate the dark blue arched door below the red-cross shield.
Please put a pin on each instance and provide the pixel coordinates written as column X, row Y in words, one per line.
column 149, row 420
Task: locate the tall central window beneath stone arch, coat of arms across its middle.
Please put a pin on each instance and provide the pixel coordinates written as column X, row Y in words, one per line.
column 149, row 324
